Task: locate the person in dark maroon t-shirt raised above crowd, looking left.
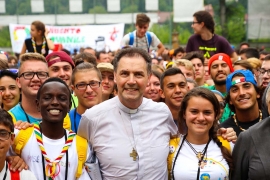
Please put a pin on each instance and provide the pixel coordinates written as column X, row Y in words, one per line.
column 205, row 39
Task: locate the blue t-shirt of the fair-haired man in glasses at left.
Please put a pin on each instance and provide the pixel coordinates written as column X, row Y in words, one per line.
column 19, row 114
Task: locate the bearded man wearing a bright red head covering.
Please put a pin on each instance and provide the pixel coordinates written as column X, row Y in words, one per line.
column 220, row 66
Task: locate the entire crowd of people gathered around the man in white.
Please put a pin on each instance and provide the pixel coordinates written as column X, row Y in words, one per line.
column 170, row 114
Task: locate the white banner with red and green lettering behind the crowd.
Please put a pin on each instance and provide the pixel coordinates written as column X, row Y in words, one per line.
column 98, row 37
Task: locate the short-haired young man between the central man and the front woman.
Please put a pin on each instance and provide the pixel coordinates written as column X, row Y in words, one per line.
column 173, row 89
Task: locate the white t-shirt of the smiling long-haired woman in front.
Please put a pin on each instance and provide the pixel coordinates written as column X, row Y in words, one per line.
column 186, row 165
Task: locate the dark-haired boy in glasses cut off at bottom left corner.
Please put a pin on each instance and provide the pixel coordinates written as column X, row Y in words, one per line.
column 6, row 141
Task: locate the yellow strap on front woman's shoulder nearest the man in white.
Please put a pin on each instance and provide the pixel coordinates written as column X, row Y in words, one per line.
column 173, row 144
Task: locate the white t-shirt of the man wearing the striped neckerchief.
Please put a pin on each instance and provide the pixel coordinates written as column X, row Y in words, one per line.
column 31, row 154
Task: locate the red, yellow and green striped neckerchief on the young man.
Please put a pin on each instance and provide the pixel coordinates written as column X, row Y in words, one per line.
column 51, row 166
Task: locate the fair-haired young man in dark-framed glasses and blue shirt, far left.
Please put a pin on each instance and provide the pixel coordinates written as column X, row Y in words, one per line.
column 33, row 71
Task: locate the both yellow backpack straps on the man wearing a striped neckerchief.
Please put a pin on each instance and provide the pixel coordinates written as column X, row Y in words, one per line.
column 81, row 146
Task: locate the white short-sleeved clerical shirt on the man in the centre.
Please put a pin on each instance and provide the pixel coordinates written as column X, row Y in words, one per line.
column 113, row 130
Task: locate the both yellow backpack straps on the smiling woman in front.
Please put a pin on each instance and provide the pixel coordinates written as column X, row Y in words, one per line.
column 174, row 143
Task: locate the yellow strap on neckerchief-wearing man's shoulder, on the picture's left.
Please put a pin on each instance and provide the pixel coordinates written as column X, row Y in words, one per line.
column 21, row 139
